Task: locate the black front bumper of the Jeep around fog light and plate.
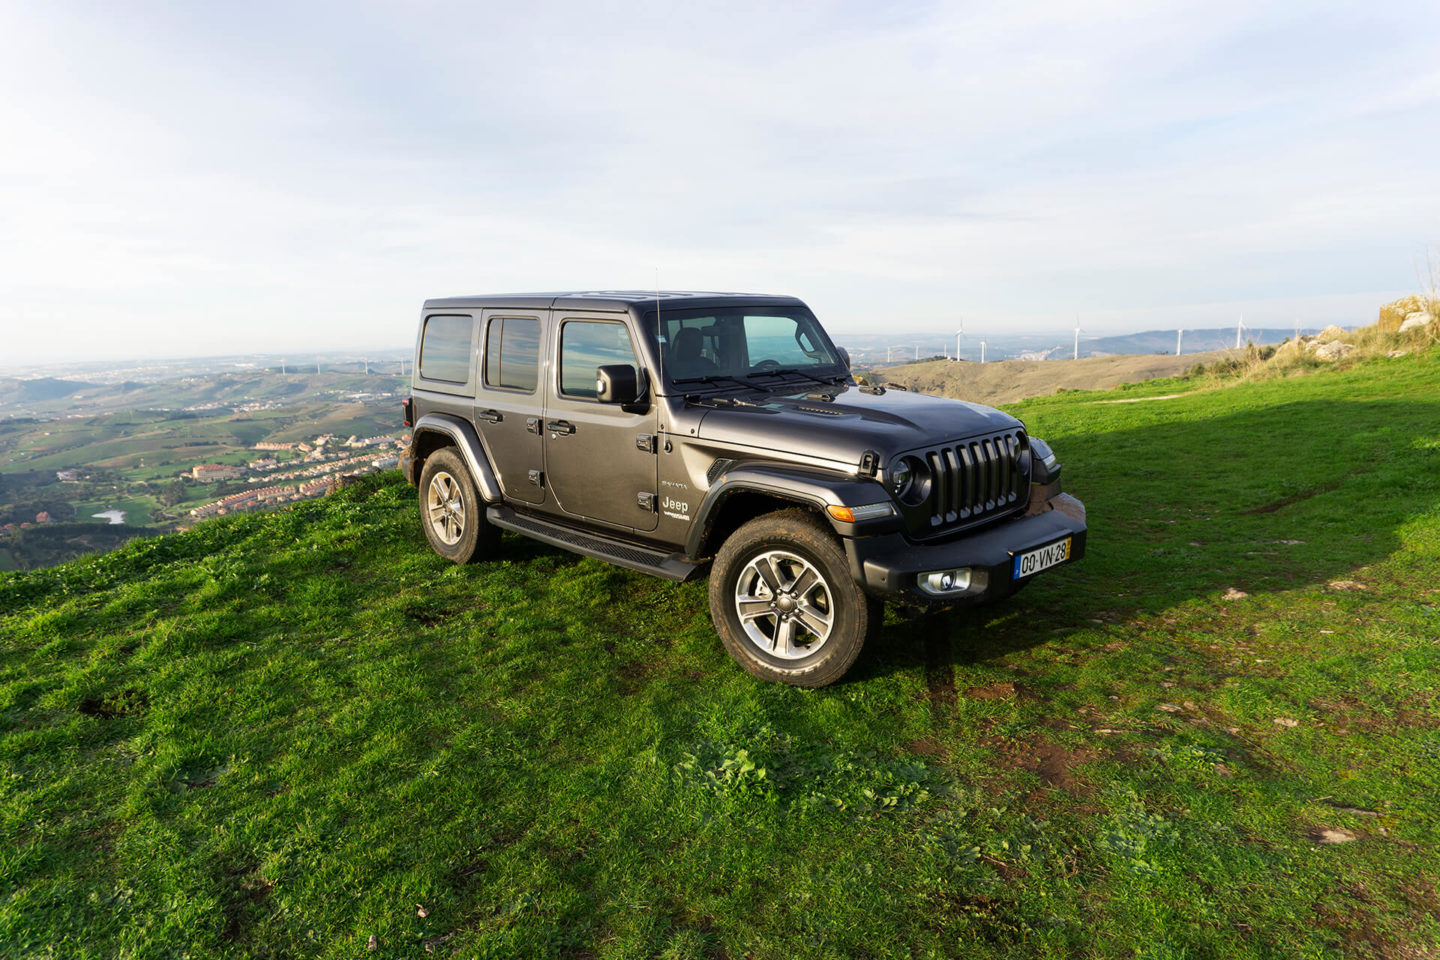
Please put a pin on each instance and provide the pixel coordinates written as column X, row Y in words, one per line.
column 889, row 566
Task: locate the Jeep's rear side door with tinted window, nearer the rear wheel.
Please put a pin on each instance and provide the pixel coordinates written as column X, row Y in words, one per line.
column 510, row 401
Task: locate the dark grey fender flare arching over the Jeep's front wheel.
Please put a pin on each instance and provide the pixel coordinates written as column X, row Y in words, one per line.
column 804, row 486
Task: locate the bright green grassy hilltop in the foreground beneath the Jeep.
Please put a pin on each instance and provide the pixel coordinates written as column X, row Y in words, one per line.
column 300, row 733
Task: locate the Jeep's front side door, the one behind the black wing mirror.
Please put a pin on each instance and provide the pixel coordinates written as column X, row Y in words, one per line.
column 601, row 458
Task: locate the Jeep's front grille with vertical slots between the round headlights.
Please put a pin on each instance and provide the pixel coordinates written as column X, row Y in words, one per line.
column 977, row 479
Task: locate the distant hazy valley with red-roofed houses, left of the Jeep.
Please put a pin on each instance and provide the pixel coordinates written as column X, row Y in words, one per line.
column 87, row 466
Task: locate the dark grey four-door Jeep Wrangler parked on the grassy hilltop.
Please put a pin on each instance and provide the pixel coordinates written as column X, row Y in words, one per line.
column 682, row 433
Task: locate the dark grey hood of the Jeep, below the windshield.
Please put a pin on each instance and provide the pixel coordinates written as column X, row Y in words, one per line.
column 852, row 424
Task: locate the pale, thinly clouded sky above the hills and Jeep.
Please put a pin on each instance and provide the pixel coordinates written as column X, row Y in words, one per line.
column 188, row 179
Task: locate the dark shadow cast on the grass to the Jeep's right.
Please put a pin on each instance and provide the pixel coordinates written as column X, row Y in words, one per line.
column 1261, row 502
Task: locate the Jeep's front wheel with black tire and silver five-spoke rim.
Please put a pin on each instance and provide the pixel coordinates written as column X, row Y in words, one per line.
column 780, row 549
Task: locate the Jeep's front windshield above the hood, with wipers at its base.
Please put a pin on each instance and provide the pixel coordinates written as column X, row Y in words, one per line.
column 722, row 346
